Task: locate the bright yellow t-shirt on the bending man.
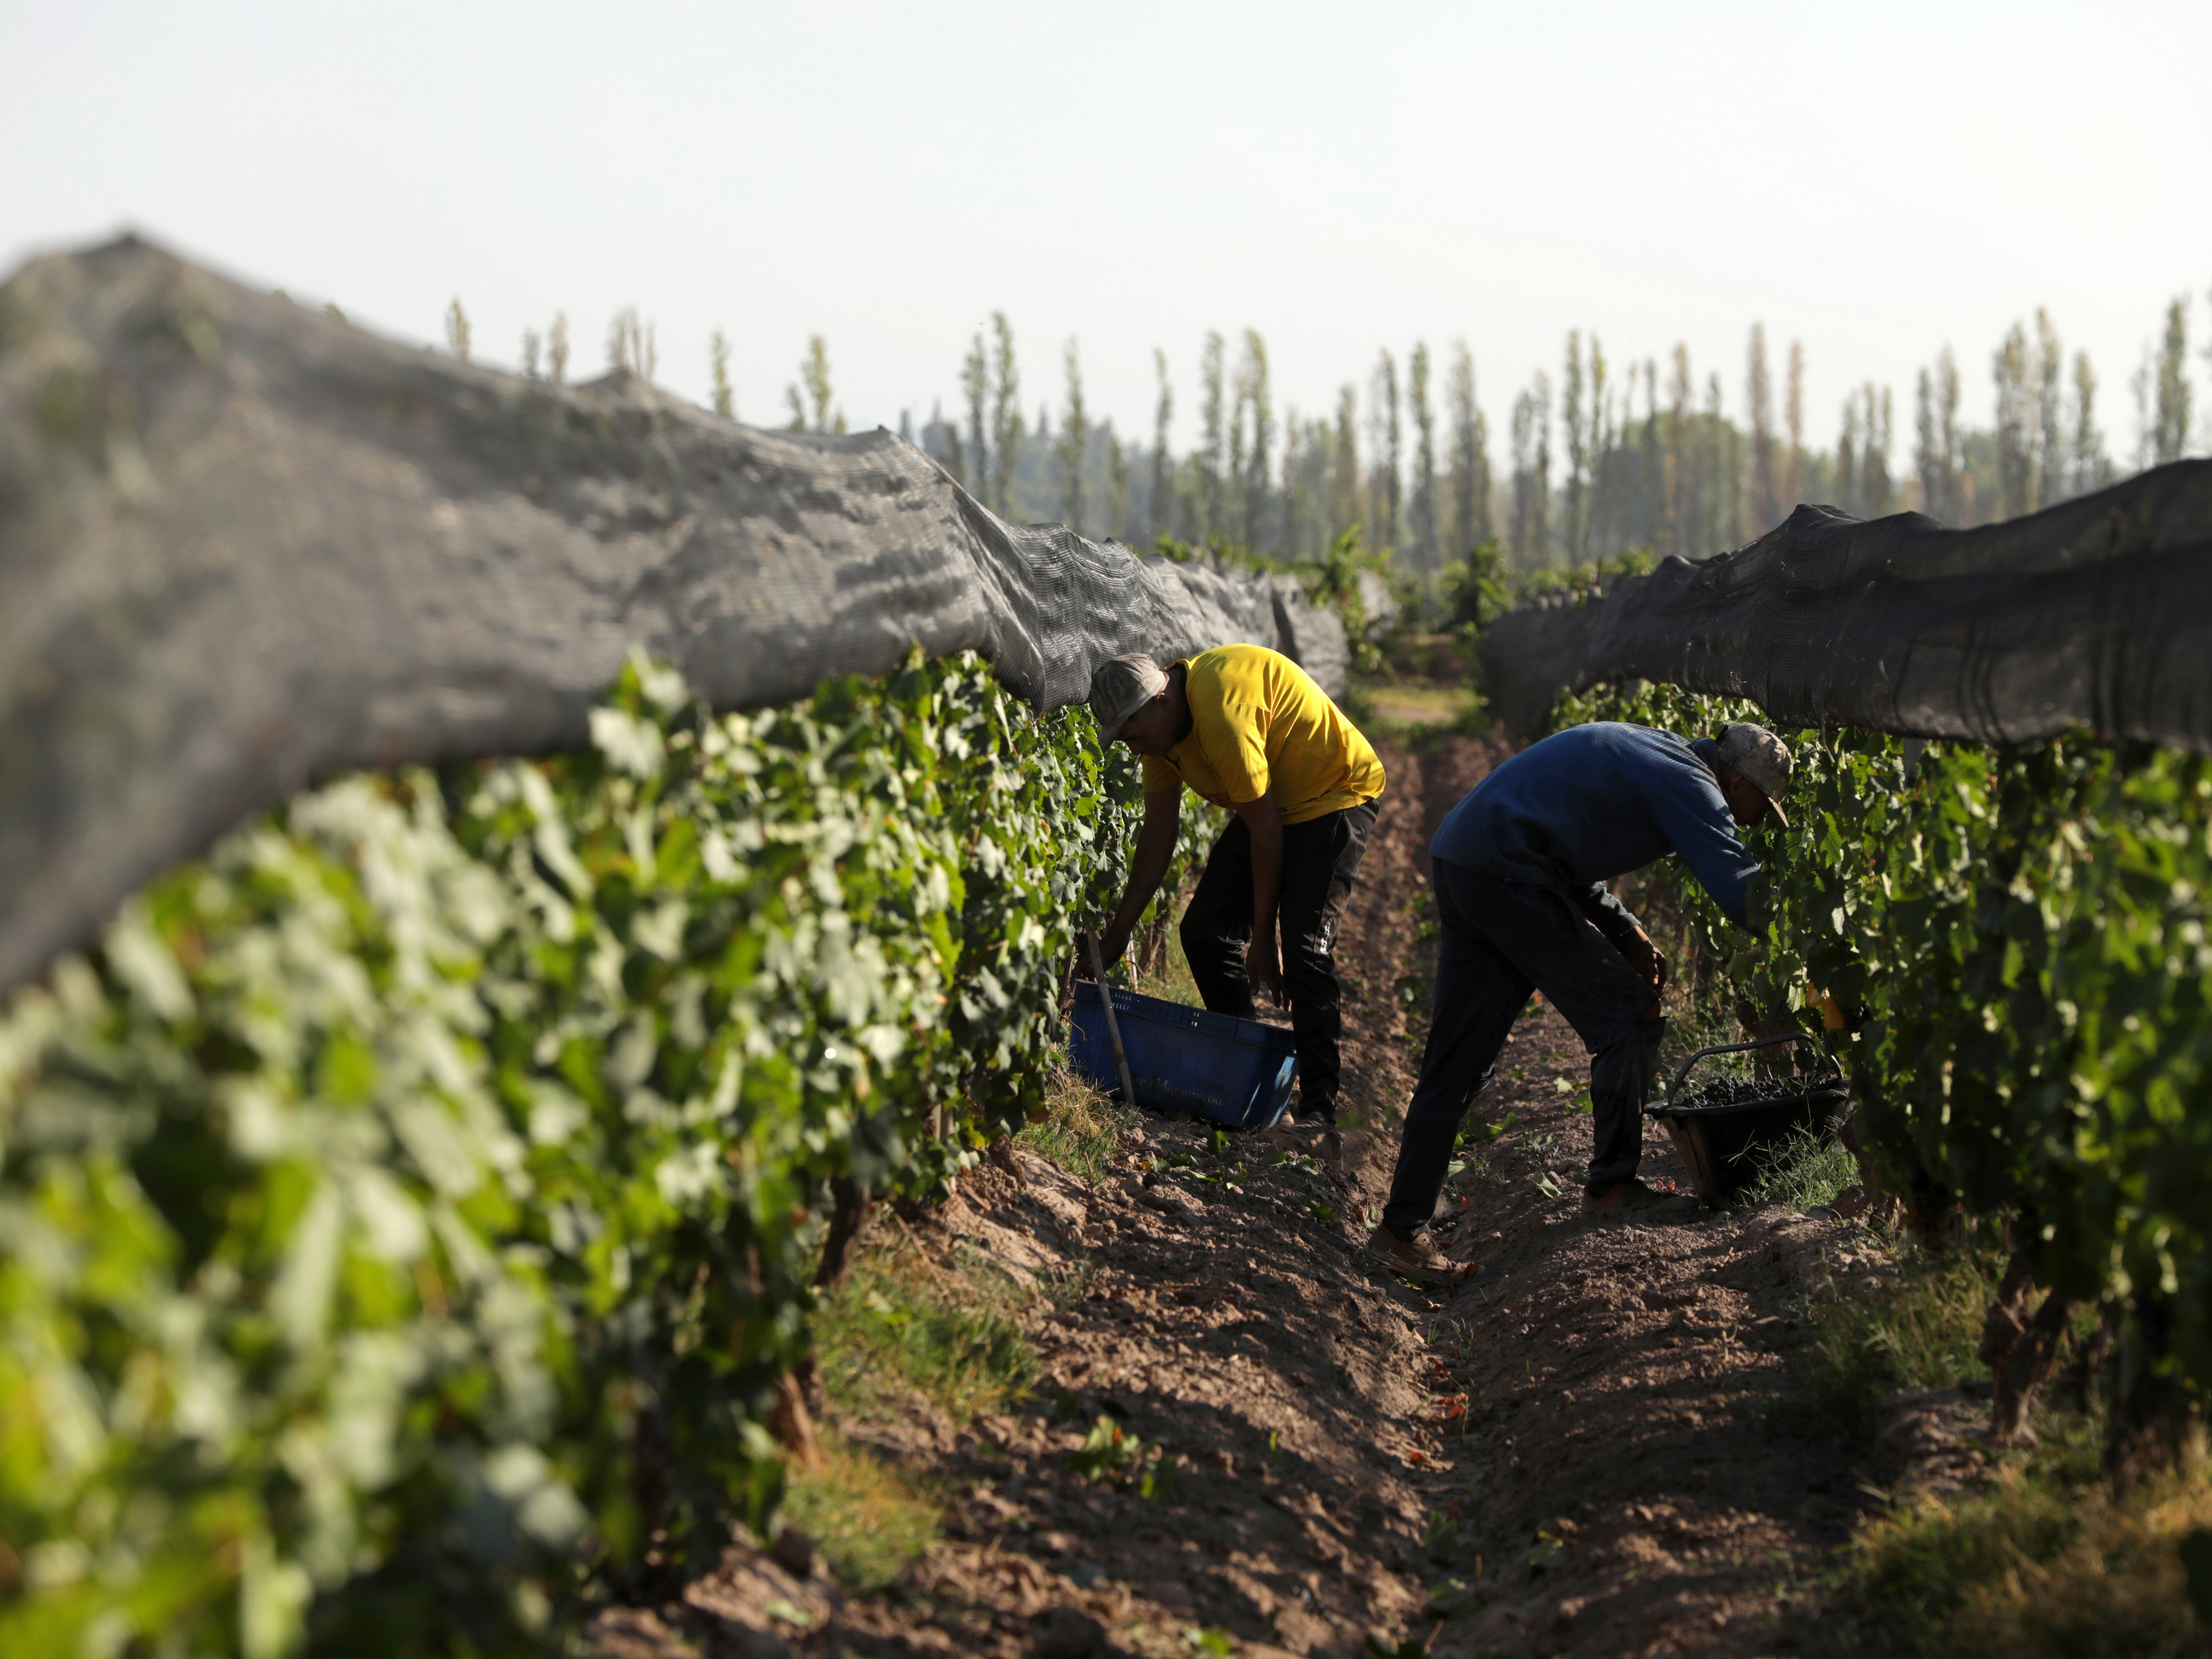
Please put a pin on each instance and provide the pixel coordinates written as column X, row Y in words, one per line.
column 1258, row 720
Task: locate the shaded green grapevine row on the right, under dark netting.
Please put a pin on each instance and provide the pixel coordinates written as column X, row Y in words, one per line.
column 2021, row 939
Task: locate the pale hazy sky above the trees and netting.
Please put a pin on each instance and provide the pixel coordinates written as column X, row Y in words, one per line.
column 1877, row 180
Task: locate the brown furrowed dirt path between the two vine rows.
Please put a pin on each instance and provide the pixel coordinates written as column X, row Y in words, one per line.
column 1589, row 1415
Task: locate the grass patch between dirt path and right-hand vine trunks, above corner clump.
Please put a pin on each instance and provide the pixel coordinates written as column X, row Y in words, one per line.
column 1923, row 1331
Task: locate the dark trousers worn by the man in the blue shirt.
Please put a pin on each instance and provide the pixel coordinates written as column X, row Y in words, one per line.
column 1503, row 941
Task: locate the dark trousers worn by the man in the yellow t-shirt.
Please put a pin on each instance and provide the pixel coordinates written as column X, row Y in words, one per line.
column 1322, row 859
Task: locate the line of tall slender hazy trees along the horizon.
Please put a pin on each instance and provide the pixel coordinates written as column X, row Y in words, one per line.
column 1600, row 461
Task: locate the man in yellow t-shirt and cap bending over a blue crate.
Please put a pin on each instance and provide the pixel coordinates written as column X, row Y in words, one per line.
column 1251, row 731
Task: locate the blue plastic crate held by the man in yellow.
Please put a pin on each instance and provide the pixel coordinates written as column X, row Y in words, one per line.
column 1187, row 1061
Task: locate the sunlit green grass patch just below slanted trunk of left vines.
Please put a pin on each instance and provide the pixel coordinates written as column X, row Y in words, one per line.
column 904, row 1326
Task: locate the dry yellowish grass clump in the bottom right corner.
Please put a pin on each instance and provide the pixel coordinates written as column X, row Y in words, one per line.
column 2043, row 1563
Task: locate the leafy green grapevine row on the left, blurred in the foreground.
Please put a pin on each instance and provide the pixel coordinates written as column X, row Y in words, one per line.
column 410, row 1207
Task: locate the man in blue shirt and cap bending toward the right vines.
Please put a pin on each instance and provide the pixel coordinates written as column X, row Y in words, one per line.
column 1519, row 873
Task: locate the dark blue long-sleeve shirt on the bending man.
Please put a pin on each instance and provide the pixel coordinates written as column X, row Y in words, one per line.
column 1592, row 804
